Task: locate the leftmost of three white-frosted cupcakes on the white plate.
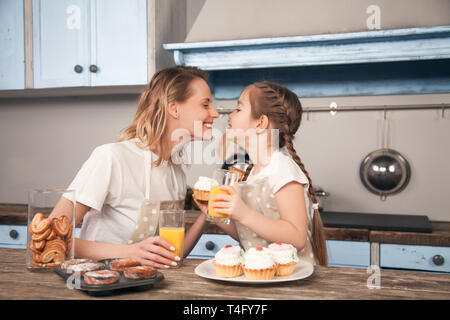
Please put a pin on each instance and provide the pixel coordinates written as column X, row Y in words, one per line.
column 228, row 262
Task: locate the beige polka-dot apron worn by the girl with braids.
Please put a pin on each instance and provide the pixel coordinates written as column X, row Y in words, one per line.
column 259, row 197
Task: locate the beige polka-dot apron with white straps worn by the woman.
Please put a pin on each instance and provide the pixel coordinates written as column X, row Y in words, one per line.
column 148, row 221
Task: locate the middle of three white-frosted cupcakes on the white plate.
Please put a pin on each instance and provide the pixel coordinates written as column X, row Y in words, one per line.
column 259, row 264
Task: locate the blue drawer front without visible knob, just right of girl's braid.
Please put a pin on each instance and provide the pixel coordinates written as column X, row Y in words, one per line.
column 352, row 254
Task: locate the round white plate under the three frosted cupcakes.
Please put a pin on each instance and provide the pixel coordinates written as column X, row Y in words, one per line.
column 302, row 270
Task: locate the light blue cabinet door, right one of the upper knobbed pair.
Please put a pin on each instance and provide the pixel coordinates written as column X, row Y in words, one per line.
column 119, row 42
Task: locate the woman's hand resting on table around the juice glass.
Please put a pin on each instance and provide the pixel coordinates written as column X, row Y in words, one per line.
column 154, row 252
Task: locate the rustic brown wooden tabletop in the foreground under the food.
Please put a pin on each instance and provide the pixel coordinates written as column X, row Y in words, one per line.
column 16, row 282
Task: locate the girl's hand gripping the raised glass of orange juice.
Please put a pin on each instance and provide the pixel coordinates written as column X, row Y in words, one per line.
column 230, row 204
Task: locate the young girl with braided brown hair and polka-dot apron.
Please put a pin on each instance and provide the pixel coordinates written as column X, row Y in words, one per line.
column 277, row 203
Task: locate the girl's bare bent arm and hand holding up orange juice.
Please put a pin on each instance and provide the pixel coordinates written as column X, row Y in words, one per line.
column 292, row 226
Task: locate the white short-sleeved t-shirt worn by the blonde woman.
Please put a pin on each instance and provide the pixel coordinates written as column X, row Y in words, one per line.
column 112, row 183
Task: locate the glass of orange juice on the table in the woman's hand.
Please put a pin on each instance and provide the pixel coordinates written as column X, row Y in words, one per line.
column 171, row 228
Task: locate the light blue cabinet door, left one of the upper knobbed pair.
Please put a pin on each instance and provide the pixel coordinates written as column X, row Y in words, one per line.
column 60, row 43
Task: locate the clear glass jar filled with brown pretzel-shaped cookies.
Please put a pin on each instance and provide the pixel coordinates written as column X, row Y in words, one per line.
column 50, row 234
